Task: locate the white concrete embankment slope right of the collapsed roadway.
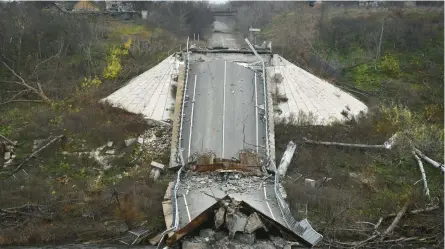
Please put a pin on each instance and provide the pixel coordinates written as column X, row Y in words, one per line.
column 309, row 94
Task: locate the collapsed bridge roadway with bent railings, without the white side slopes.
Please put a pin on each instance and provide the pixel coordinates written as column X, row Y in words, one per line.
column 223, row 148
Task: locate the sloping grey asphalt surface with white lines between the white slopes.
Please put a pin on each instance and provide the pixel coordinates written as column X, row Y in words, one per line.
column 223, row 118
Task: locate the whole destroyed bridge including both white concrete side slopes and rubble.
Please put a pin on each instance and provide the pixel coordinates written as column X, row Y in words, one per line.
column 223, row 144
